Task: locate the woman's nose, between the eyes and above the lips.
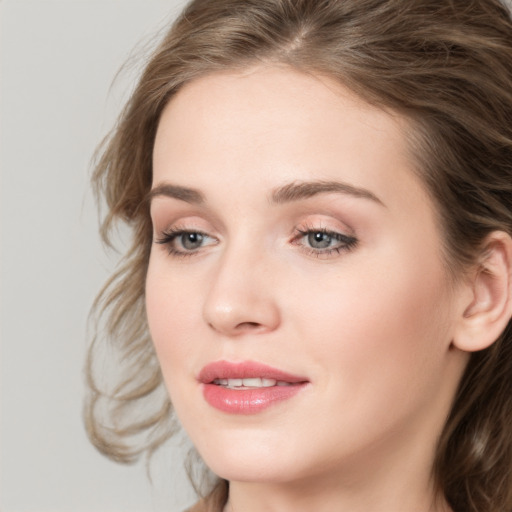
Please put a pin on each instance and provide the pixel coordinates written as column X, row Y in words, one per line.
column 241, row 298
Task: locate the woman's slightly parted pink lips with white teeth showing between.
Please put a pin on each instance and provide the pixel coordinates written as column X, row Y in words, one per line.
column 247, row 387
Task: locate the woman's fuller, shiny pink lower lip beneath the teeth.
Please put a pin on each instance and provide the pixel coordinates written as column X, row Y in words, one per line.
column 248, row 401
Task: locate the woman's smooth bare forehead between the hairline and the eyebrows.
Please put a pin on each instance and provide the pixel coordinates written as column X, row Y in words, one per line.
column 275, row 125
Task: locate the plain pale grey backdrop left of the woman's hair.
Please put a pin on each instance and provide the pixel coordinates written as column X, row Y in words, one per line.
column 58, row 61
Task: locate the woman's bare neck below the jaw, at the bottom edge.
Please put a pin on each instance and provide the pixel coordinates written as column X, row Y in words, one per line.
column 396, row 478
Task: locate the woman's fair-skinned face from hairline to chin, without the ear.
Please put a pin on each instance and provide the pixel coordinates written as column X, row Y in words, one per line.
column 295, row 247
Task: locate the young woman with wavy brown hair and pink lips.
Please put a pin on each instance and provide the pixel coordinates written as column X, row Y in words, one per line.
column 320, row 194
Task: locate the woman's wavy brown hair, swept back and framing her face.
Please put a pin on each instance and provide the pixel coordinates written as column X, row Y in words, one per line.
column 446, row 66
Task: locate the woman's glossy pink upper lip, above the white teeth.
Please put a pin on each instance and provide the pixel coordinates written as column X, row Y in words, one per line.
column 244, row 370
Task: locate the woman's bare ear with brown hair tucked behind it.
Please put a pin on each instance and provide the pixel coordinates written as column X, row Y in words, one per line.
column 488, row 305
